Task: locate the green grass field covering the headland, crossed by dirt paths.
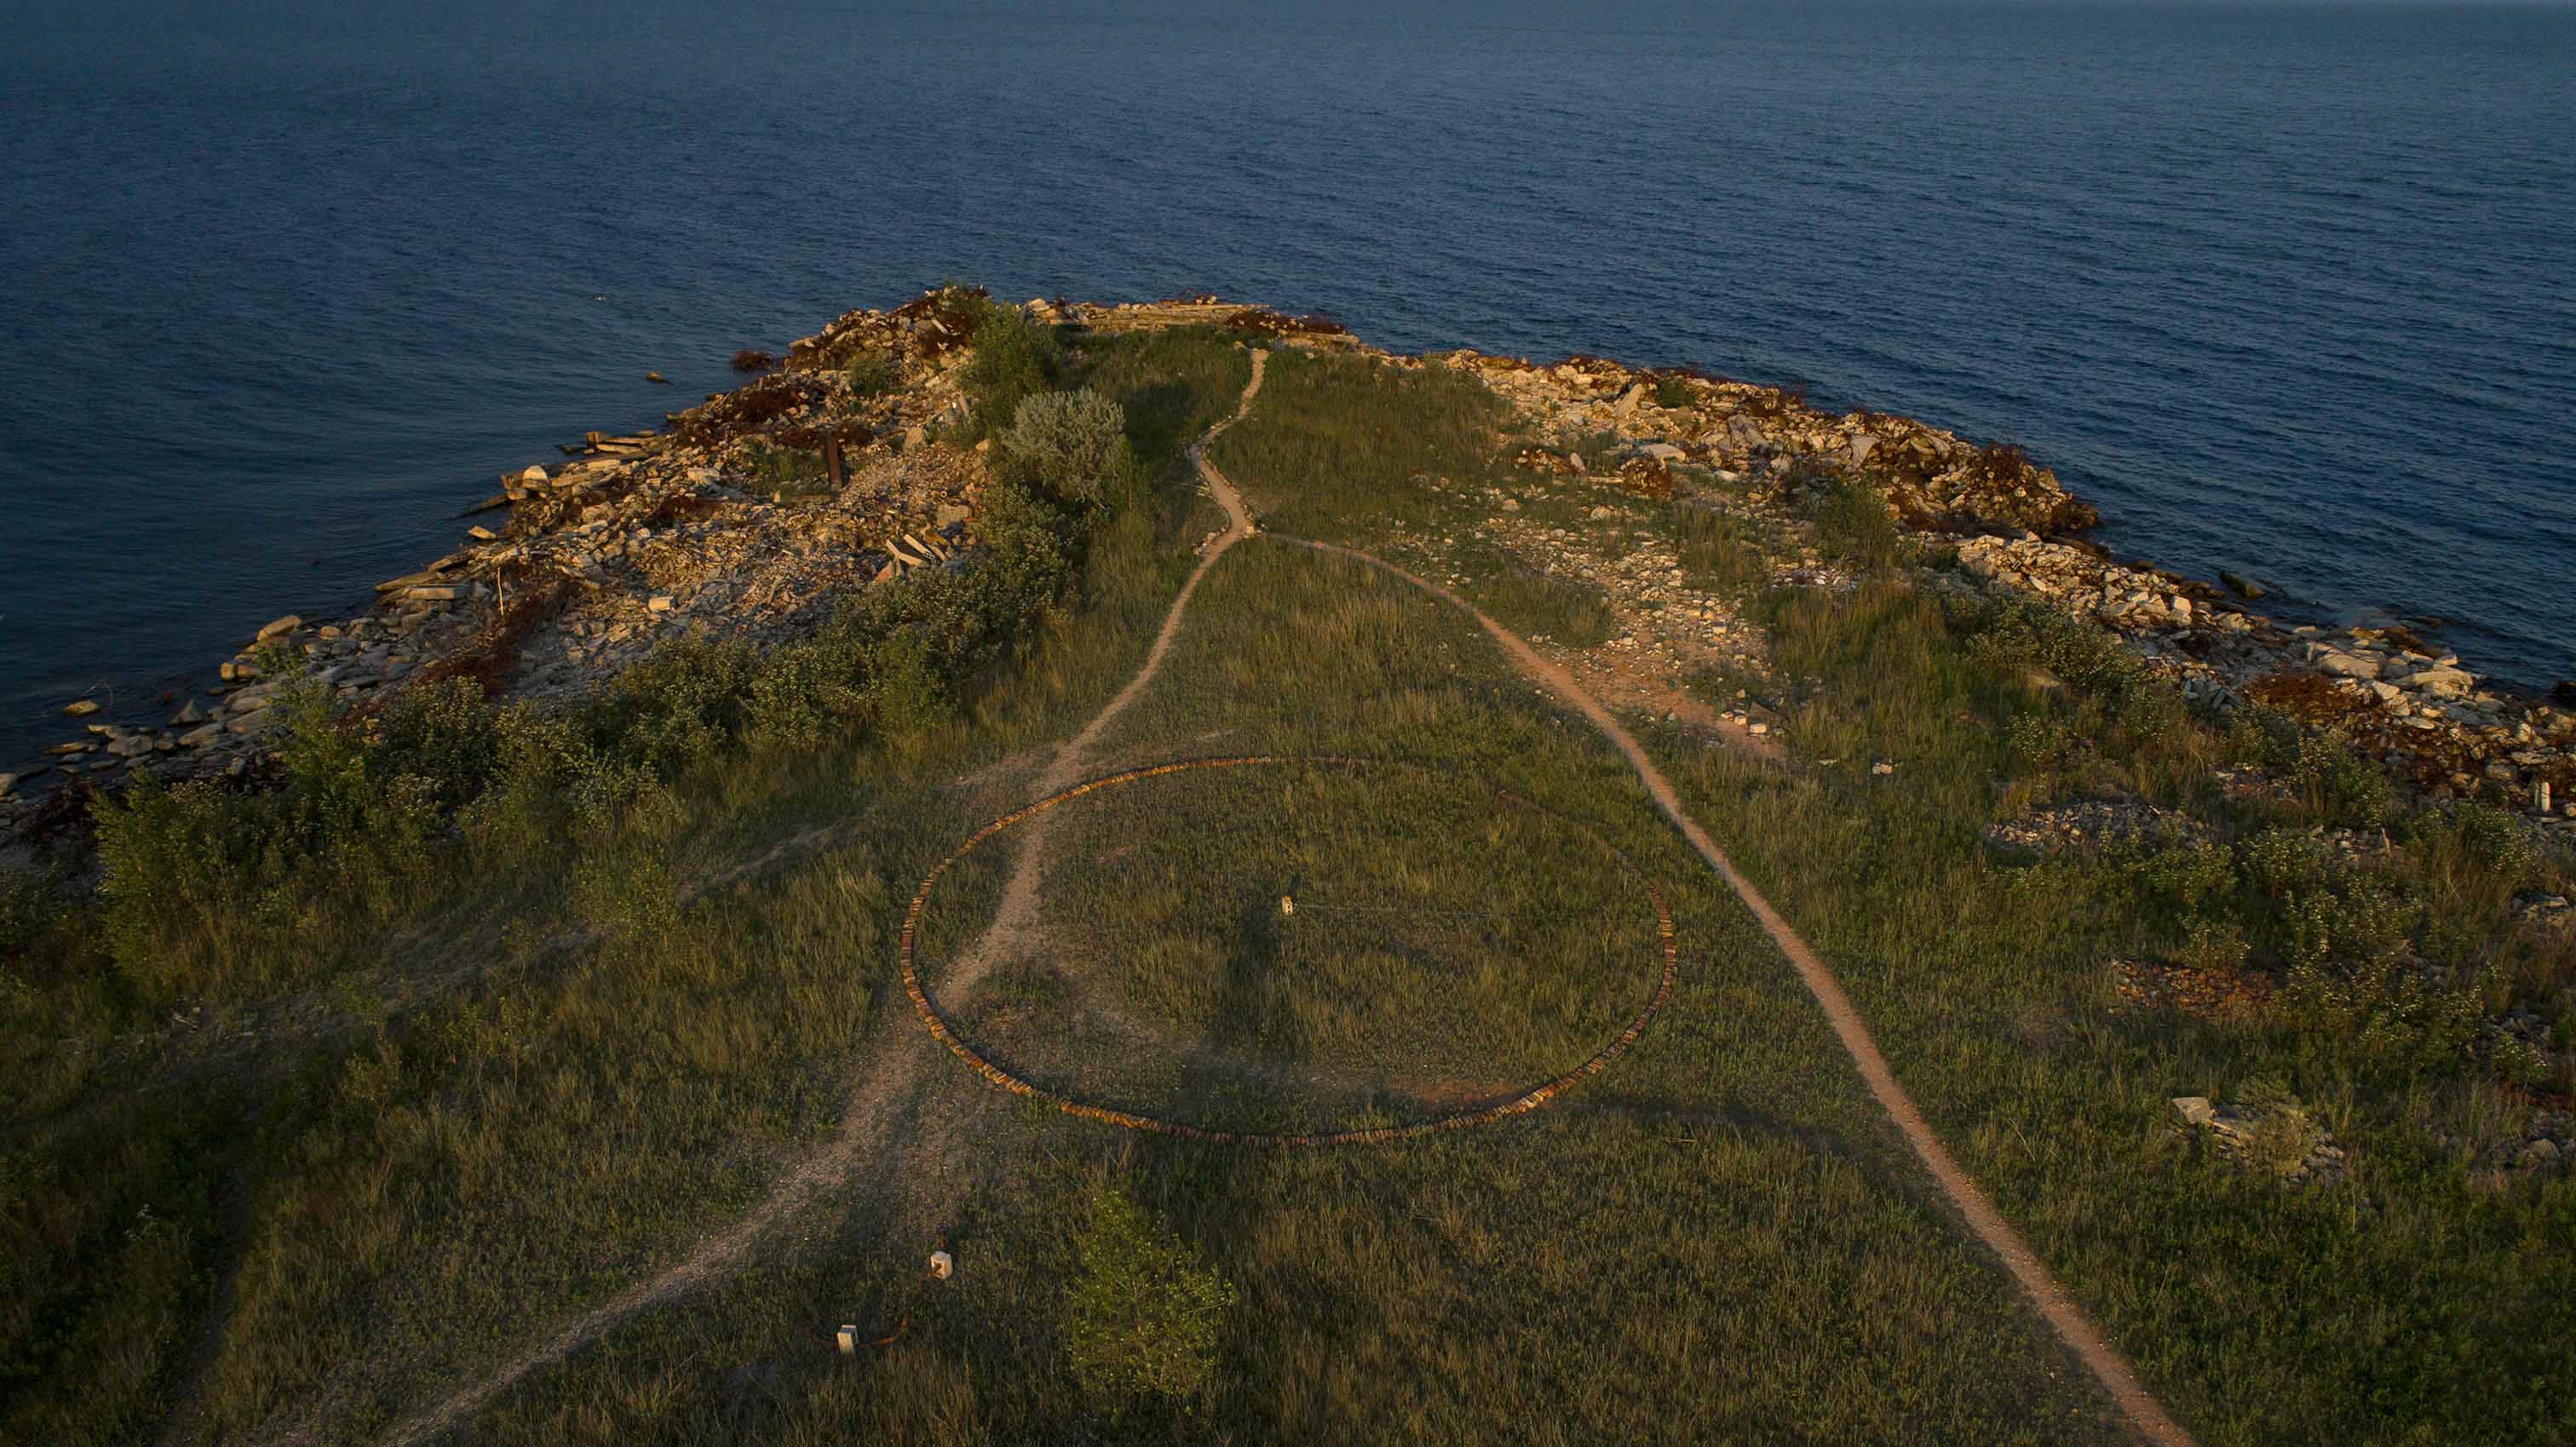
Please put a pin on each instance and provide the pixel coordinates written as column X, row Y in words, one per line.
column 393, row 1144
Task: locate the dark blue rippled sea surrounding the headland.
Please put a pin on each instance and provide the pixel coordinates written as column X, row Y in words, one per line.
column 2286, row 290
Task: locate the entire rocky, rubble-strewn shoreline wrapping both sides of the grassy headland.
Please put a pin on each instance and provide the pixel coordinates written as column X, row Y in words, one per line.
column 756, row 511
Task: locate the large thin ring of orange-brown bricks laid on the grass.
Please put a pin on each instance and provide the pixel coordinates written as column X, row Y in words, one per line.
column 1124, row 1119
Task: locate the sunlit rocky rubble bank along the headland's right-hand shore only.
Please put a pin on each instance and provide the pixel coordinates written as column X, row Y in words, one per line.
column 2013, row 527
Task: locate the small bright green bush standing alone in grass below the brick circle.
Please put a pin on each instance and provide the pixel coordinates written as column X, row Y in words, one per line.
column 1140, row 1314
